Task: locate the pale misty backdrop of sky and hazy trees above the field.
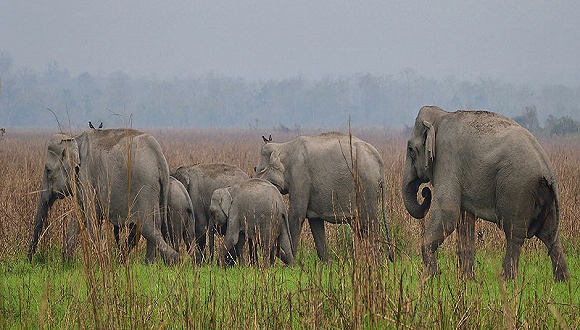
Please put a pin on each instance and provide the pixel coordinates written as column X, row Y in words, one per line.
column 284, row 64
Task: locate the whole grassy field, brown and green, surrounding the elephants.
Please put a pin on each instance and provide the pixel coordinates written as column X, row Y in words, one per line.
column 96, row 291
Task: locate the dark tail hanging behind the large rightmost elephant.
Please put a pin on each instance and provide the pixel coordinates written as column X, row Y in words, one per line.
column 549, row 207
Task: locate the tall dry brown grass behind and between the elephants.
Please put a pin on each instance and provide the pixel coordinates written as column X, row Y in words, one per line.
column 22, row 157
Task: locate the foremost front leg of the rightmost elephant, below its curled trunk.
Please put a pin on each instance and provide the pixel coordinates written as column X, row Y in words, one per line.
column 441, row 225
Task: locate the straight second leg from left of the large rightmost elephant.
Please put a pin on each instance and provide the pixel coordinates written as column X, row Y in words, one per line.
column 466, row 243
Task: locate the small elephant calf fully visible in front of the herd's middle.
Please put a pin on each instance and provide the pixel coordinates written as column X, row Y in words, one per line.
column 253, row 210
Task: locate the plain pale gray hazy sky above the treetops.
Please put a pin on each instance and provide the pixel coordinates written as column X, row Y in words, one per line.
column 514, row 41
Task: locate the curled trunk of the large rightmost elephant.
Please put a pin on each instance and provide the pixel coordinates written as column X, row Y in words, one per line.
column 411, row 185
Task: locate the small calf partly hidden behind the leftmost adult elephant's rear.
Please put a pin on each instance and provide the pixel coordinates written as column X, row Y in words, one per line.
column 180, row 218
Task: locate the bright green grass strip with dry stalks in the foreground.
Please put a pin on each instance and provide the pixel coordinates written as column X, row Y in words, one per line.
column 346, row 294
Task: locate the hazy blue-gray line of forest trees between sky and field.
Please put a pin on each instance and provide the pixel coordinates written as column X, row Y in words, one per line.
column 366, row 100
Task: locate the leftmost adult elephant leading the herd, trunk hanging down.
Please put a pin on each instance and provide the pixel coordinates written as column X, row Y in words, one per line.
column 96, row 165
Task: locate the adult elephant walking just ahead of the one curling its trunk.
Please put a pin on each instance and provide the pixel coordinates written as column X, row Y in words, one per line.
column 317, row 174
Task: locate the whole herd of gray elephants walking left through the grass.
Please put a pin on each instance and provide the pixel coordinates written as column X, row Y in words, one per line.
column 479, row 164
